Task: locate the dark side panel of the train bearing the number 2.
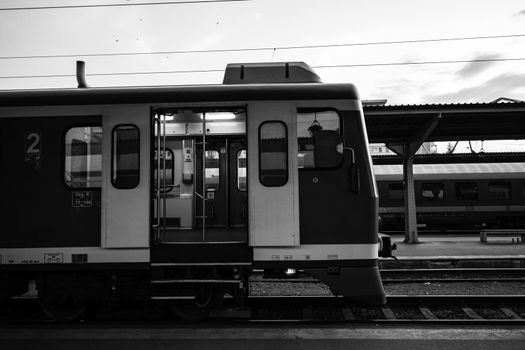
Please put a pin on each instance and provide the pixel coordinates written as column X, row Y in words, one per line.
column 38, row 157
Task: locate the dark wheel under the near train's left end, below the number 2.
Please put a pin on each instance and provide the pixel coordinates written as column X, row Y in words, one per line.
column 59, row 299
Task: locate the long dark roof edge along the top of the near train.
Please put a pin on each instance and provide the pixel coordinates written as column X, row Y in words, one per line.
column 179, row 94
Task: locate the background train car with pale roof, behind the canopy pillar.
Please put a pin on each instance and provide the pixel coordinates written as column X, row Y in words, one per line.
column 455, row 197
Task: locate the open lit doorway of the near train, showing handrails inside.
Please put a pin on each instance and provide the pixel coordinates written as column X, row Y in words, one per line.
column 199, row 171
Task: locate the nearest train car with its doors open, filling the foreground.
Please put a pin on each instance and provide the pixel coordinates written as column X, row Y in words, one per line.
column 177, row 193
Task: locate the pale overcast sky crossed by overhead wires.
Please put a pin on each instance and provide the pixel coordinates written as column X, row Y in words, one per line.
column 272, row 23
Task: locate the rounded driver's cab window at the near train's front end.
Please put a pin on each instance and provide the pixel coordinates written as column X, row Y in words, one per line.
column 309, row 123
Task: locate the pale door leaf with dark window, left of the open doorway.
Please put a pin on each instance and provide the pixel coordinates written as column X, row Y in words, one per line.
column 126, row 177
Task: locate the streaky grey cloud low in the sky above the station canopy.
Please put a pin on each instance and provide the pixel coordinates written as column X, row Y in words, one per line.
column 504, row 85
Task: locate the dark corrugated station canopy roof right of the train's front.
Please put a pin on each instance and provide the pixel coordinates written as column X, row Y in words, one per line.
column 397, row 124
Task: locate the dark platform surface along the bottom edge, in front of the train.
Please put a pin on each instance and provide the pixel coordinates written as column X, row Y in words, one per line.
column 258, row 337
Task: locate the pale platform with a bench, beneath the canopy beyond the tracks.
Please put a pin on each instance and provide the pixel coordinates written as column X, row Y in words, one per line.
column 464, row 250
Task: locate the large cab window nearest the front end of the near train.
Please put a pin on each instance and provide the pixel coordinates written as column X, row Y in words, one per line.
column 319, row 132
